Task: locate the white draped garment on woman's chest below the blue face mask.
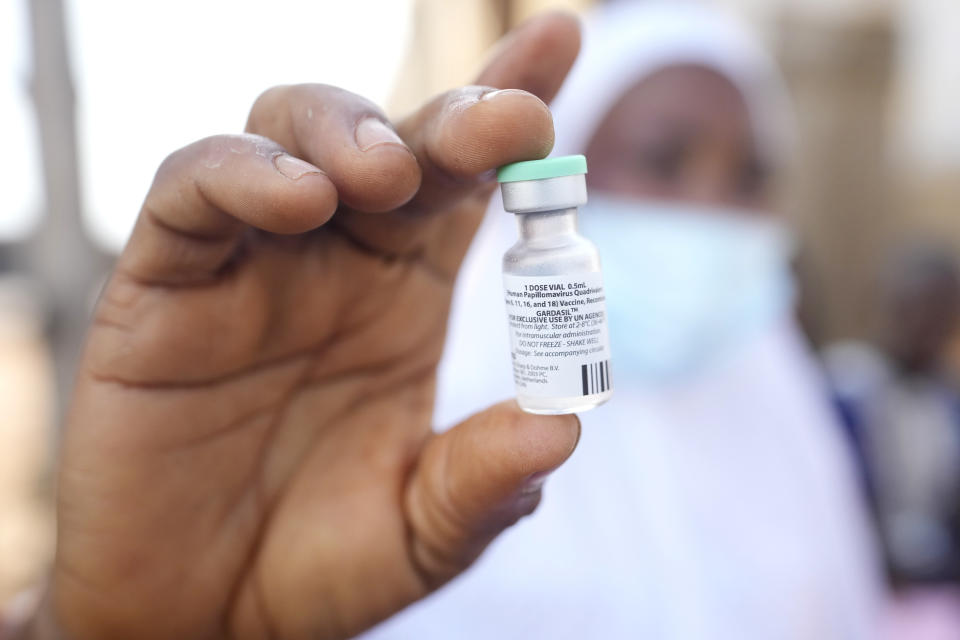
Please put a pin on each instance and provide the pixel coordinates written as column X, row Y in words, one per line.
column 723, row 510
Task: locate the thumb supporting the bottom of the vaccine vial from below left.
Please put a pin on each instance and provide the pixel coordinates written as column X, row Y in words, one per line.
column 477, row 479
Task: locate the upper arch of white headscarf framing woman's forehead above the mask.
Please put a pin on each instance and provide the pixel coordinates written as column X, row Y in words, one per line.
column 628, row 40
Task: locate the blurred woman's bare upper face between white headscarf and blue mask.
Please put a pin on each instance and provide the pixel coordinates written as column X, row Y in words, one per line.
column 684, row 134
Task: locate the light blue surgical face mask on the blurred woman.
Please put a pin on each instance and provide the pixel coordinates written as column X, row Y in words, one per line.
column 685, row 283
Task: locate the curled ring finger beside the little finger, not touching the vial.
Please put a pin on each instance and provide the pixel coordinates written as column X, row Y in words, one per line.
column 345, row 135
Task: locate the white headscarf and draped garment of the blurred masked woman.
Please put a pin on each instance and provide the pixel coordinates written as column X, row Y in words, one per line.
column 723, row 509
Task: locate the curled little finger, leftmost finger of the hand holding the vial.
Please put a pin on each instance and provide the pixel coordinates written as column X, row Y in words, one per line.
column 203, row 196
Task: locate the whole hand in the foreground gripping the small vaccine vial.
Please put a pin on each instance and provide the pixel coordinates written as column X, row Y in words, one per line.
column 249, row 451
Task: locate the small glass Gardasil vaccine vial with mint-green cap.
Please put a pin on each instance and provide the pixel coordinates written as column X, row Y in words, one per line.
column 553, row 289
